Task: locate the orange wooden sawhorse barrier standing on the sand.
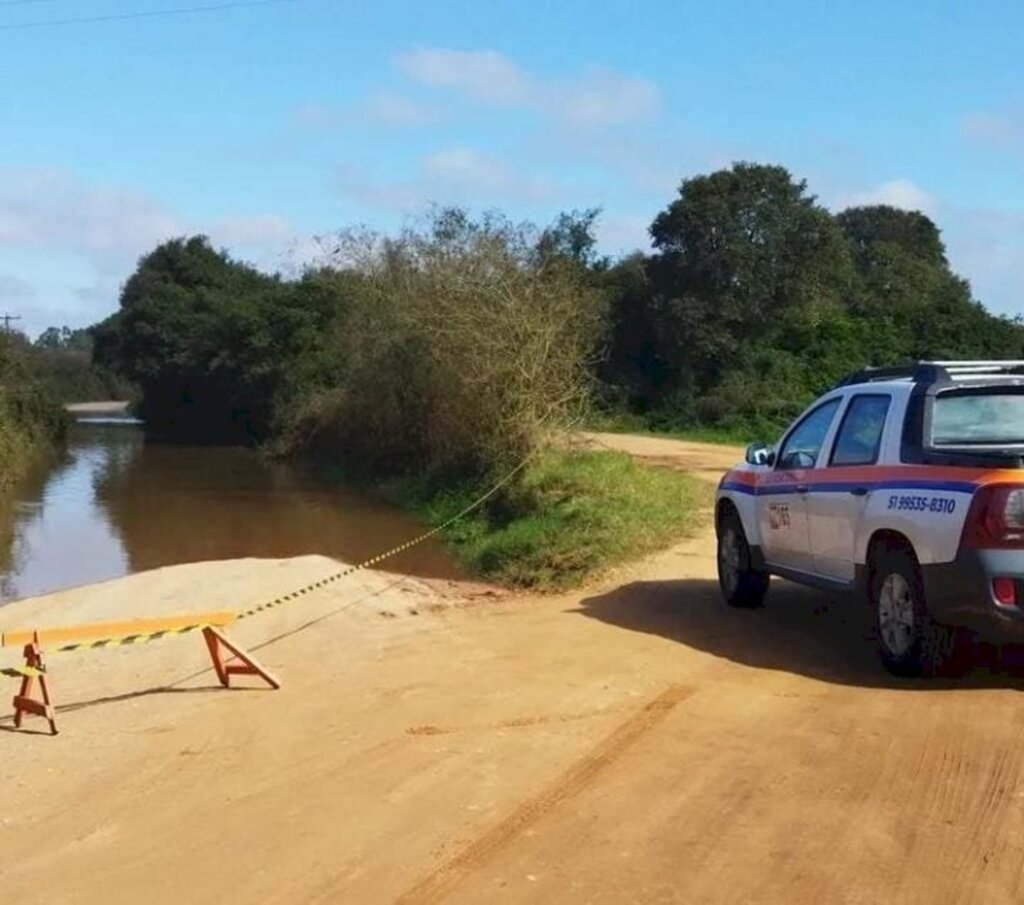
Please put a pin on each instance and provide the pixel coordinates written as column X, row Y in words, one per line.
column 237, row 662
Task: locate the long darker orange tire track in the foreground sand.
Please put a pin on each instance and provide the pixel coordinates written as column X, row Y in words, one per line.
column 570, row 785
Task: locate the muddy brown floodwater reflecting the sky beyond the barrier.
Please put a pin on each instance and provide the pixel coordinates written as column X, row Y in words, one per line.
column 118, row 504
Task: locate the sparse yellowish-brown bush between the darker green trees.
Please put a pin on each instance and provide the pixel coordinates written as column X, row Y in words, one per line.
column 461, row 348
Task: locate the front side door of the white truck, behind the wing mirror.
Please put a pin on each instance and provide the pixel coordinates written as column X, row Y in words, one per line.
column 783, row 495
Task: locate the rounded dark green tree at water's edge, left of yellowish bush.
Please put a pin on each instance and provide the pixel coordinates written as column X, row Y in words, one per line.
column 208, row 340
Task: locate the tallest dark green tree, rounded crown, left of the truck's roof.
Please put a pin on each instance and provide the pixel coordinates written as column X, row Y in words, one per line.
column 750, row 273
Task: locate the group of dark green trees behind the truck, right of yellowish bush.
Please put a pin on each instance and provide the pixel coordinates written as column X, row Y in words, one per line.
column 756, row 298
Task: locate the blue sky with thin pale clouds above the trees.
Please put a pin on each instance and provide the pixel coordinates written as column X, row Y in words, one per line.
column 267, row 125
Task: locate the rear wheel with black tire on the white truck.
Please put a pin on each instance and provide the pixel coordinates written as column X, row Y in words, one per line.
column 910, row 641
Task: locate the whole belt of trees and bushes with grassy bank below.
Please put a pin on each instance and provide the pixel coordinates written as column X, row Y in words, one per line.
column 437, row 359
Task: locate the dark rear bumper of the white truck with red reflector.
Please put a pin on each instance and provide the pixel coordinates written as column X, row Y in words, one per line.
column 960, row 593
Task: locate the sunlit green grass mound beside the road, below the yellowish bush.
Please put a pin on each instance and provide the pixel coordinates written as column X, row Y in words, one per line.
column 572, row 516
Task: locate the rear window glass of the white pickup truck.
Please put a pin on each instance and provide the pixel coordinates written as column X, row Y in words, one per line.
column 990, row 417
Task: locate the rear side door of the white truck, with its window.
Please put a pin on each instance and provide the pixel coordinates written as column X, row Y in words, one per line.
column 835, row 510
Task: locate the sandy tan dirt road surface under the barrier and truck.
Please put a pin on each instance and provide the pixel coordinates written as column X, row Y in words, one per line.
column 637, row 743
